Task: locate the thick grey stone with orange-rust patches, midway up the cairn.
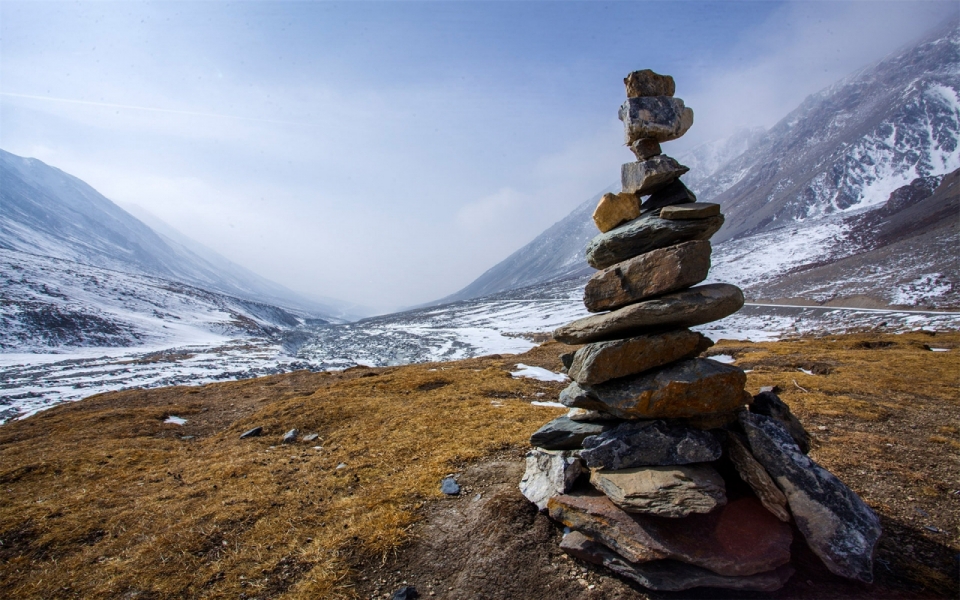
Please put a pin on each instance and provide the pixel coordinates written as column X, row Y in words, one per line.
column 682, row 389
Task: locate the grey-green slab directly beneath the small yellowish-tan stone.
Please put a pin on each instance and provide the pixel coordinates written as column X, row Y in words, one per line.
column 644, row 234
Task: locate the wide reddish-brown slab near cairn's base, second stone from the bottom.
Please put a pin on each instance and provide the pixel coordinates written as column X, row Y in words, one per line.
column 738, row 539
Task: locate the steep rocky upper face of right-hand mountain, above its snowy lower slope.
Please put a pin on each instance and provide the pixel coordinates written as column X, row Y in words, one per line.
column 848, row 147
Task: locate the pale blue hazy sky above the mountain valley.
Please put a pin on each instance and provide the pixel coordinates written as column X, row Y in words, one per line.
column 388, row 153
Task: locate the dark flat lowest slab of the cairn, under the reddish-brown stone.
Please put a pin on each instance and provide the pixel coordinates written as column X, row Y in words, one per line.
column 669, row 575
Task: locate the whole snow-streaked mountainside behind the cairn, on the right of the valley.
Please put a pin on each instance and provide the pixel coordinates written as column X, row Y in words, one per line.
column 789, row 193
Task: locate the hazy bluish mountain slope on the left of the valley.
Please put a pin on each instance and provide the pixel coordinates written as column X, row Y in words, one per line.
column 47, row 212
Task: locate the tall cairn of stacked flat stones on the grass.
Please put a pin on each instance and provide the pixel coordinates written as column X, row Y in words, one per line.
column 693, row 482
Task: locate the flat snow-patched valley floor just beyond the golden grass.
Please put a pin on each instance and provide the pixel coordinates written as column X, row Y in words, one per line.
column 511, row 322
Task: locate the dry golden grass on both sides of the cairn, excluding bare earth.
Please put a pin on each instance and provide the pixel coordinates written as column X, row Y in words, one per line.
column 101, row 499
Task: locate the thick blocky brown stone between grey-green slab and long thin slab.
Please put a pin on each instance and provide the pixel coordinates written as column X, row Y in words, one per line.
column 650, row 274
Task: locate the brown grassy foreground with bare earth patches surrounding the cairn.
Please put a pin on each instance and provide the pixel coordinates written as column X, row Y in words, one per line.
column 101, row 499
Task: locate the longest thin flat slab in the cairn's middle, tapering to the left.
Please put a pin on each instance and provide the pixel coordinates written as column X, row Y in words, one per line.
column 686, row 308
